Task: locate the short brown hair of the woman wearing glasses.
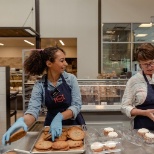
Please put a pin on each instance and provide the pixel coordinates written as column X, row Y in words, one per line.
column 145, row 52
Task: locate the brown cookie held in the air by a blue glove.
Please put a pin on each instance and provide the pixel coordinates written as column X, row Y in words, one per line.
column 17, row 135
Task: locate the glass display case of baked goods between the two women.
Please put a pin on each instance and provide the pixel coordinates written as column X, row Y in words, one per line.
column 102, row 93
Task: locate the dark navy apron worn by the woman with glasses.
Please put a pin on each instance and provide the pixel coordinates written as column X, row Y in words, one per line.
column 143, row 121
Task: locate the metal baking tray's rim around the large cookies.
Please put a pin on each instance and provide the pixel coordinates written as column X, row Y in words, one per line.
column 71, row 151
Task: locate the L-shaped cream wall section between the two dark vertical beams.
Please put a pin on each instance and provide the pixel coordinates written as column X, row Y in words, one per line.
column 74, row 18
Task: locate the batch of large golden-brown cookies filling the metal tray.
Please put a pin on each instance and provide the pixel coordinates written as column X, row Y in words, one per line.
column 72, row 138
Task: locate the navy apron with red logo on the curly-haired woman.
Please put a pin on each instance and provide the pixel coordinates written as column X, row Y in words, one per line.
column 60, row 103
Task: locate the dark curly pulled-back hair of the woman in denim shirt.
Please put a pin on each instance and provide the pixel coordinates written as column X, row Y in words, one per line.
column 35, row 64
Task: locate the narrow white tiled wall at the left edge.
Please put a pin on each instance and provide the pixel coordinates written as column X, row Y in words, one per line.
column 2, row 101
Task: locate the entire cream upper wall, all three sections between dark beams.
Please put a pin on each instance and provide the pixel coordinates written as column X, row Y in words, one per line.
column 75, row 18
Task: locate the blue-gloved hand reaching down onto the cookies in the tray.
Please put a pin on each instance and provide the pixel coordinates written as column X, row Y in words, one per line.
column 56, row 126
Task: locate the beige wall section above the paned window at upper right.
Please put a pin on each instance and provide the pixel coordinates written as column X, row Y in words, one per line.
column 114, row 11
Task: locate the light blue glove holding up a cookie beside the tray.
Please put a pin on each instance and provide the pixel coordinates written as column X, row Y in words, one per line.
column 16, row 126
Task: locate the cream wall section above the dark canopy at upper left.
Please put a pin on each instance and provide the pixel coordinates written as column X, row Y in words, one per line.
column 14, row 13
